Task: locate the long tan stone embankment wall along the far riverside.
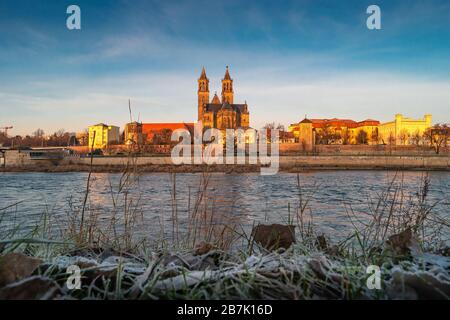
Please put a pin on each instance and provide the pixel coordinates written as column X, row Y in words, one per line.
column 22, row 159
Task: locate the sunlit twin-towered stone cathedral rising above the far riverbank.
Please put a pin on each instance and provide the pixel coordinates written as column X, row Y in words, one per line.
column 221, row 113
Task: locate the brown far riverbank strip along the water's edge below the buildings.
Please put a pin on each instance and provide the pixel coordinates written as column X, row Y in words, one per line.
column 286, row 164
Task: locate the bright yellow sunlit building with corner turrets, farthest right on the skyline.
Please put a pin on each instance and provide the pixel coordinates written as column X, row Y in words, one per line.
column 404, row 131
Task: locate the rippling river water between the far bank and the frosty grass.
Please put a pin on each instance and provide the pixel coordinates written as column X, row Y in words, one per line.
column 237, row 200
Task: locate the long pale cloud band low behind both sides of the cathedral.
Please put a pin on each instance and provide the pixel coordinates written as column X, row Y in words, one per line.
column 170, row 97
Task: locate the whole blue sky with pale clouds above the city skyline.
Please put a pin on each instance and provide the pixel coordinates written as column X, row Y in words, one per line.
column 288, row 59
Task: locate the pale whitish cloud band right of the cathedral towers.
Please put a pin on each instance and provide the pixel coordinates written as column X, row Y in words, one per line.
column 355, row 95
